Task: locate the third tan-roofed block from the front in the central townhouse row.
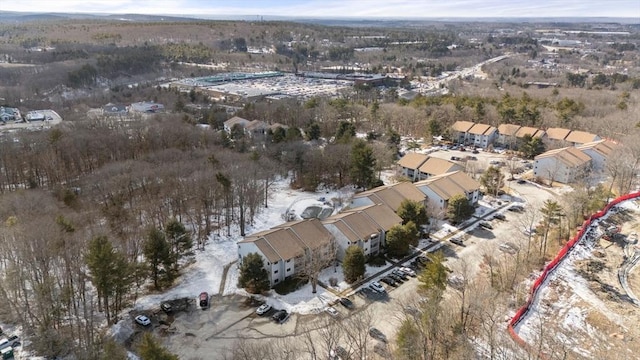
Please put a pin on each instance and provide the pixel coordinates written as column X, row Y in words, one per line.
column 391, row 196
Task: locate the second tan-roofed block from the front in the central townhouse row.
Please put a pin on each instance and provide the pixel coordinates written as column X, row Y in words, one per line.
column 365, row 227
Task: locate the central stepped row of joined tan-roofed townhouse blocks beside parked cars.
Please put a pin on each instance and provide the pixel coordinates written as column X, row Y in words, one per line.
column 288, row 248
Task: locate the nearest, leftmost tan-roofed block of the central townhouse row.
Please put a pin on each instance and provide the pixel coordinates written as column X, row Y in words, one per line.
column 289, row 248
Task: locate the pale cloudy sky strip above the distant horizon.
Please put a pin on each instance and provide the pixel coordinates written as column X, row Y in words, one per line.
column 340, row 8
